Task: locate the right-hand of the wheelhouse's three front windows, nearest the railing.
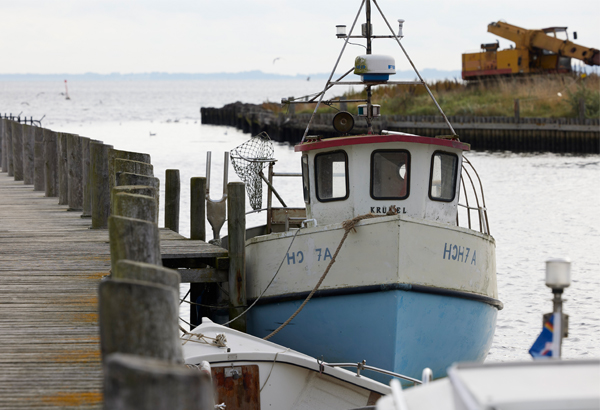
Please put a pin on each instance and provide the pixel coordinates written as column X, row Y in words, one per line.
column 442, row 182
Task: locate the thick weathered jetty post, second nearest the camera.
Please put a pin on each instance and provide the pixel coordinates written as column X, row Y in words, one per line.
column 140, row 318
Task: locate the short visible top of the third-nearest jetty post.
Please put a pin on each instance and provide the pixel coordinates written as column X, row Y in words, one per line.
column 147, row 272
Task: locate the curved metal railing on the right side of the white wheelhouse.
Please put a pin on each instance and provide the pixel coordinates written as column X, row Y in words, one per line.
column 472, row 192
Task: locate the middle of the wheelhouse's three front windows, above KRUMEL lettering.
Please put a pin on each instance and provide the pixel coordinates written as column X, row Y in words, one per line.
column 390, row 174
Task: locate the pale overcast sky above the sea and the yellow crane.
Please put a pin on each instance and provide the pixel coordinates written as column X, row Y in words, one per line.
column 274, row 36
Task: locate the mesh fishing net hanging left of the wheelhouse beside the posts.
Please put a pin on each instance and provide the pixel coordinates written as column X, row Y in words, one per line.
column 248, row 160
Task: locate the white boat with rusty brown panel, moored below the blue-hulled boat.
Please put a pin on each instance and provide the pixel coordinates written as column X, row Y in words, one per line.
column 251, row 373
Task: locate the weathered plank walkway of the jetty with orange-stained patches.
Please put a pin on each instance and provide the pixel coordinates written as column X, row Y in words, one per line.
column 50, row 266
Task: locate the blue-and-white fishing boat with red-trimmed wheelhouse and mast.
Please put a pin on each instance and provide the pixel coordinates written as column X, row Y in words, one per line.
column 391, row 260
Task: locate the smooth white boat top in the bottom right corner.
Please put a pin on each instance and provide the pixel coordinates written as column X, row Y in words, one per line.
column 541, row 384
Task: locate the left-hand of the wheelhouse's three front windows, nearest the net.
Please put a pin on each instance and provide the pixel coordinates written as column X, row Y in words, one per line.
column 331, row 176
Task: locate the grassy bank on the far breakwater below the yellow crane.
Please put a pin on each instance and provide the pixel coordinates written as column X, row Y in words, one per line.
column 548, row 96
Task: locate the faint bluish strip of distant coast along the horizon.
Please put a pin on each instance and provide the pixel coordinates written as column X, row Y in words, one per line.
column 427, row 74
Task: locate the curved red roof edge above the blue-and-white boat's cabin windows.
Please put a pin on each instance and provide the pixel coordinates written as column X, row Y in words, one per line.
column 378, row 139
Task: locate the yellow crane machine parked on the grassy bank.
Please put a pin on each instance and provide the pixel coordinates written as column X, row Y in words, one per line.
column 535, row 51
